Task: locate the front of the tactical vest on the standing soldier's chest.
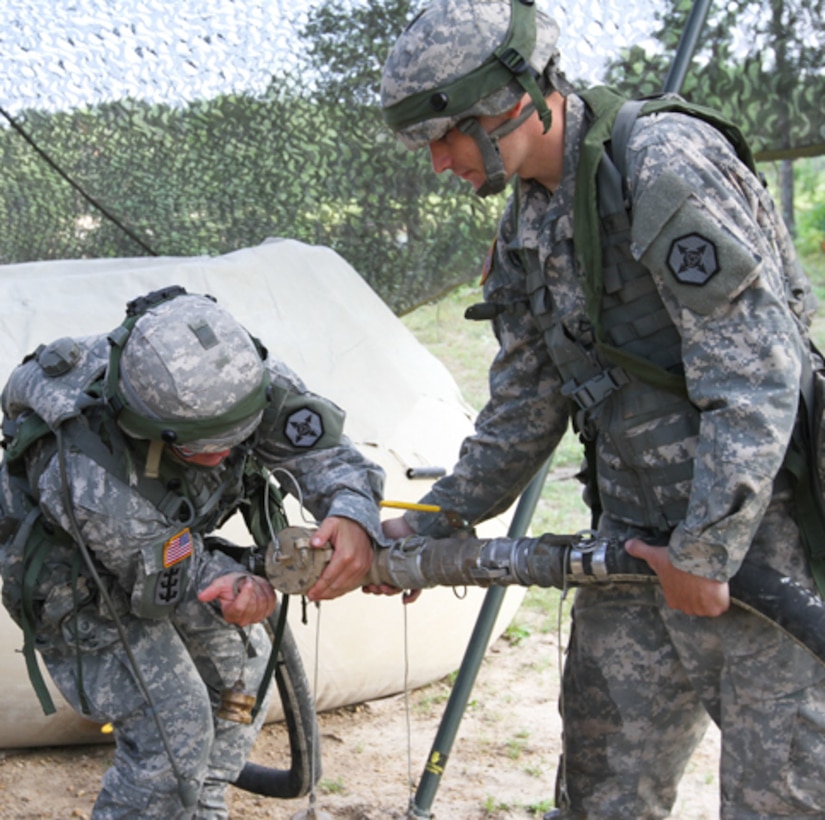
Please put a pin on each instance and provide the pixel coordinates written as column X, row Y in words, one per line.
column 626, row 323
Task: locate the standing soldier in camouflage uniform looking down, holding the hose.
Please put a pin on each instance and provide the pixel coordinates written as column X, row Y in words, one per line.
column 710, row 287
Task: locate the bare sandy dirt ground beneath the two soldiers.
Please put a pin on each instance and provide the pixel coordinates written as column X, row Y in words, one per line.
column 502, row 763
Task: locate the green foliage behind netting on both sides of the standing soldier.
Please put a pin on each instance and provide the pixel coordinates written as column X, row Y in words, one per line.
column 310, row 157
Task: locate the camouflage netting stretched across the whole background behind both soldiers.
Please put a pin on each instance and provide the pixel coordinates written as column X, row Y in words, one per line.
column 203, row 127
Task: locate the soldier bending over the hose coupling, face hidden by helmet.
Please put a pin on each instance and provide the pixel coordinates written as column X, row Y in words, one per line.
column 193, row 400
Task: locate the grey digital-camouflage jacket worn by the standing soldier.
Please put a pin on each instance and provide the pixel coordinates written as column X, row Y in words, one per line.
column 705, row 484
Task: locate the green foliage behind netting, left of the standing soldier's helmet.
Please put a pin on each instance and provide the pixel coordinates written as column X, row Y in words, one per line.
column 310, row 159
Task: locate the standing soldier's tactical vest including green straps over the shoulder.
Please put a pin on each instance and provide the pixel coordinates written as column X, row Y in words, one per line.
column 623, row 369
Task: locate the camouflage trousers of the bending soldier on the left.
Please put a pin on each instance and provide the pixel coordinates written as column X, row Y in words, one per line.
column 185, row 663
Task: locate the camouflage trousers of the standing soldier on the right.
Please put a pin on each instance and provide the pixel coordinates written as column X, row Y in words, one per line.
column 642, row 681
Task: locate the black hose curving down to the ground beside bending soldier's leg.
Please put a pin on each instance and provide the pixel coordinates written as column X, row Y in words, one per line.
column 302, row 729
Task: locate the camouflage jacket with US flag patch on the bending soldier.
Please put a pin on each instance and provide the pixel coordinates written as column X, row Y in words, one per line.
column 133, row 536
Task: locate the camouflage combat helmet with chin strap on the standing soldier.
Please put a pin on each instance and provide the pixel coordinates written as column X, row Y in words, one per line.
column 460, row 59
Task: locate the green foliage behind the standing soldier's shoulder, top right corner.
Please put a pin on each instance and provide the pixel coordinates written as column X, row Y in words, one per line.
column 759, row 63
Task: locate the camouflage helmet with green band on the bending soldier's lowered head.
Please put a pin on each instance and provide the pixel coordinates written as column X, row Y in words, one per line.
column 183, row 371
